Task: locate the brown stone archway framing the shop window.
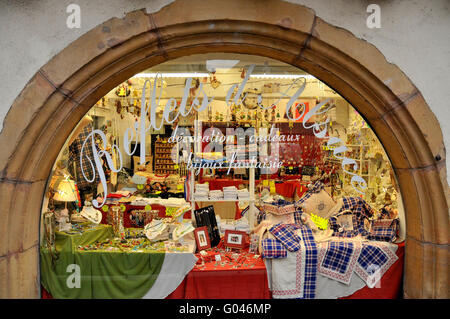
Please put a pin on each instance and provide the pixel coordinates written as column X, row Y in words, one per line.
column 62, row 91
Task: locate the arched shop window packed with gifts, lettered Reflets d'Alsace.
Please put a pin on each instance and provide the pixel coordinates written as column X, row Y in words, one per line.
column 219, row 144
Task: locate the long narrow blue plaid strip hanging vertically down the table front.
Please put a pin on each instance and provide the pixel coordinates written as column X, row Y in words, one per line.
column 310, row 276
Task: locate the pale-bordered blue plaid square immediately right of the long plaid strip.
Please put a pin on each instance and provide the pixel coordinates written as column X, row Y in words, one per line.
column 337, row 259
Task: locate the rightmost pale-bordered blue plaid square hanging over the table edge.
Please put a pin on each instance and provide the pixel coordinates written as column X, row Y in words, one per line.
column 373, row 262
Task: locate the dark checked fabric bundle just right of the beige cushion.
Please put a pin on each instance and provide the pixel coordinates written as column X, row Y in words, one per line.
column 360, row 211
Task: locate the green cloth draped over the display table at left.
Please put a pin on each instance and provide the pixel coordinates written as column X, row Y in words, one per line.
column 103, row 274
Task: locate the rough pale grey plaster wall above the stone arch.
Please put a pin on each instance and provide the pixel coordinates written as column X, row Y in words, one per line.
column 414, row 34
